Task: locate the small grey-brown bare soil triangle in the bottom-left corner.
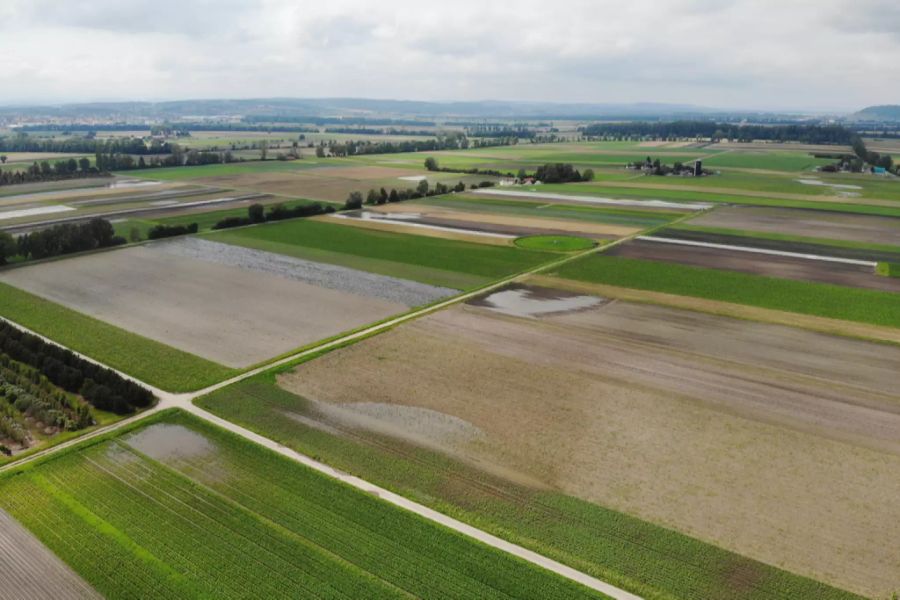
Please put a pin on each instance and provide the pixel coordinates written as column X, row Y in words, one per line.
column 29, row 571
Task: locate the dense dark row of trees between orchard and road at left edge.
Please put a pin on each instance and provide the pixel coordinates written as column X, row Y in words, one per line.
column 101, row 387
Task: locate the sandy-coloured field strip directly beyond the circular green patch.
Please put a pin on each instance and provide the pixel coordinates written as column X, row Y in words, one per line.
column 502, row 223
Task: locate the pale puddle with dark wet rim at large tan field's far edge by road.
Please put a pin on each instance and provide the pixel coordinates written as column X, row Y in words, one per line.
column 532, row 301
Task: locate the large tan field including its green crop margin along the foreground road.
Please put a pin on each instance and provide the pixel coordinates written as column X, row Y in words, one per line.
column 549, row 426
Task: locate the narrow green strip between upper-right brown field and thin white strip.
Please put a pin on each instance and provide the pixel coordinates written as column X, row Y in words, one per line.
column 783, row 242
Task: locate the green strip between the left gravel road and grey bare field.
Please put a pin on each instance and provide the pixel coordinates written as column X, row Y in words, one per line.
column 150, row 361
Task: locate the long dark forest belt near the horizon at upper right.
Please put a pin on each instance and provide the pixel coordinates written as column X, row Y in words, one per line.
column 675, row 130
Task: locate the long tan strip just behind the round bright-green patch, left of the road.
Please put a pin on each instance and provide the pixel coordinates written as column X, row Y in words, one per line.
column 530, row 225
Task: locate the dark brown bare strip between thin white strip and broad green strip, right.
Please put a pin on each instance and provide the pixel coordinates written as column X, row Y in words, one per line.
column 759, row 264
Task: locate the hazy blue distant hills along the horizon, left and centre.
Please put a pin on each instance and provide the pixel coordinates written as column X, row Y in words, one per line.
column 356, row 107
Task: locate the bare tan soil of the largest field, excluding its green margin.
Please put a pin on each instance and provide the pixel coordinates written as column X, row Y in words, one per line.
column 774, row 442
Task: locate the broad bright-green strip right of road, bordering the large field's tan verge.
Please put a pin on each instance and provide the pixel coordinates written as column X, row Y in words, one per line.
column 819, row 299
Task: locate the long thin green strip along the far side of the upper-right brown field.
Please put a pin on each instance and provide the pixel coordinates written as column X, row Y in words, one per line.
column 612, row 191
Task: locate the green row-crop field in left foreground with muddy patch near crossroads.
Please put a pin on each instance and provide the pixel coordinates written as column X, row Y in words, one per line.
column 221, row 517
